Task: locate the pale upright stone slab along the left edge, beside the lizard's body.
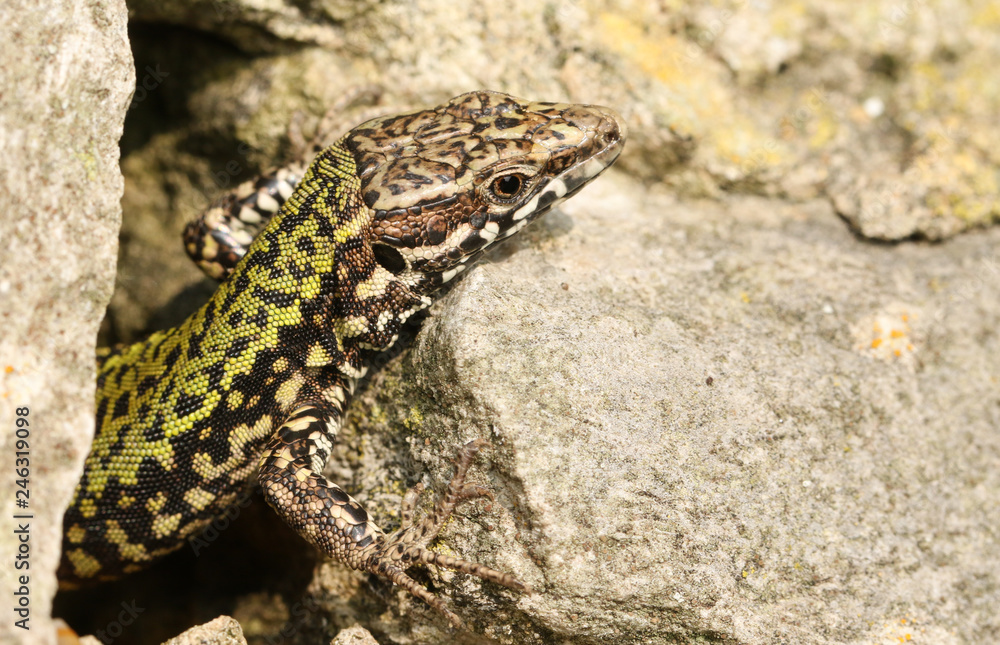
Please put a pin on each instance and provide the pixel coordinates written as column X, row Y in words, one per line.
column 66, row 79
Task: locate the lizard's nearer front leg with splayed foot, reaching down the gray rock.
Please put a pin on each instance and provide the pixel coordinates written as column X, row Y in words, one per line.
column 322, row 513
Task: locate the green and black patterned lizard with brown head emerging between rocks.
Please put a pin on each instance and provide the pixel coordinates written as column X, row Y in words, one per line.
column 320, row 266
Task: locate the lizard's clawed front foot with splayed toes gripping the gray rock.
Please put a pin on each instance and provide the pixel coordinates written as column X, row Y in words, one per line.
column 408, row 545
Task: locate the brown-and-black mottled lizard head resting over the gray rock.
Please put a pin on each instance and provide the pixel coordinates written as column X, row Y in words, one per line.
column 445, row 184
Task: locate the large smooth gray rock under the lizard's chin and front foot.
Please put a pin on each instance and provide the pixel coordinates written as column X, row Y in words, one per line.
column 731, row 422
